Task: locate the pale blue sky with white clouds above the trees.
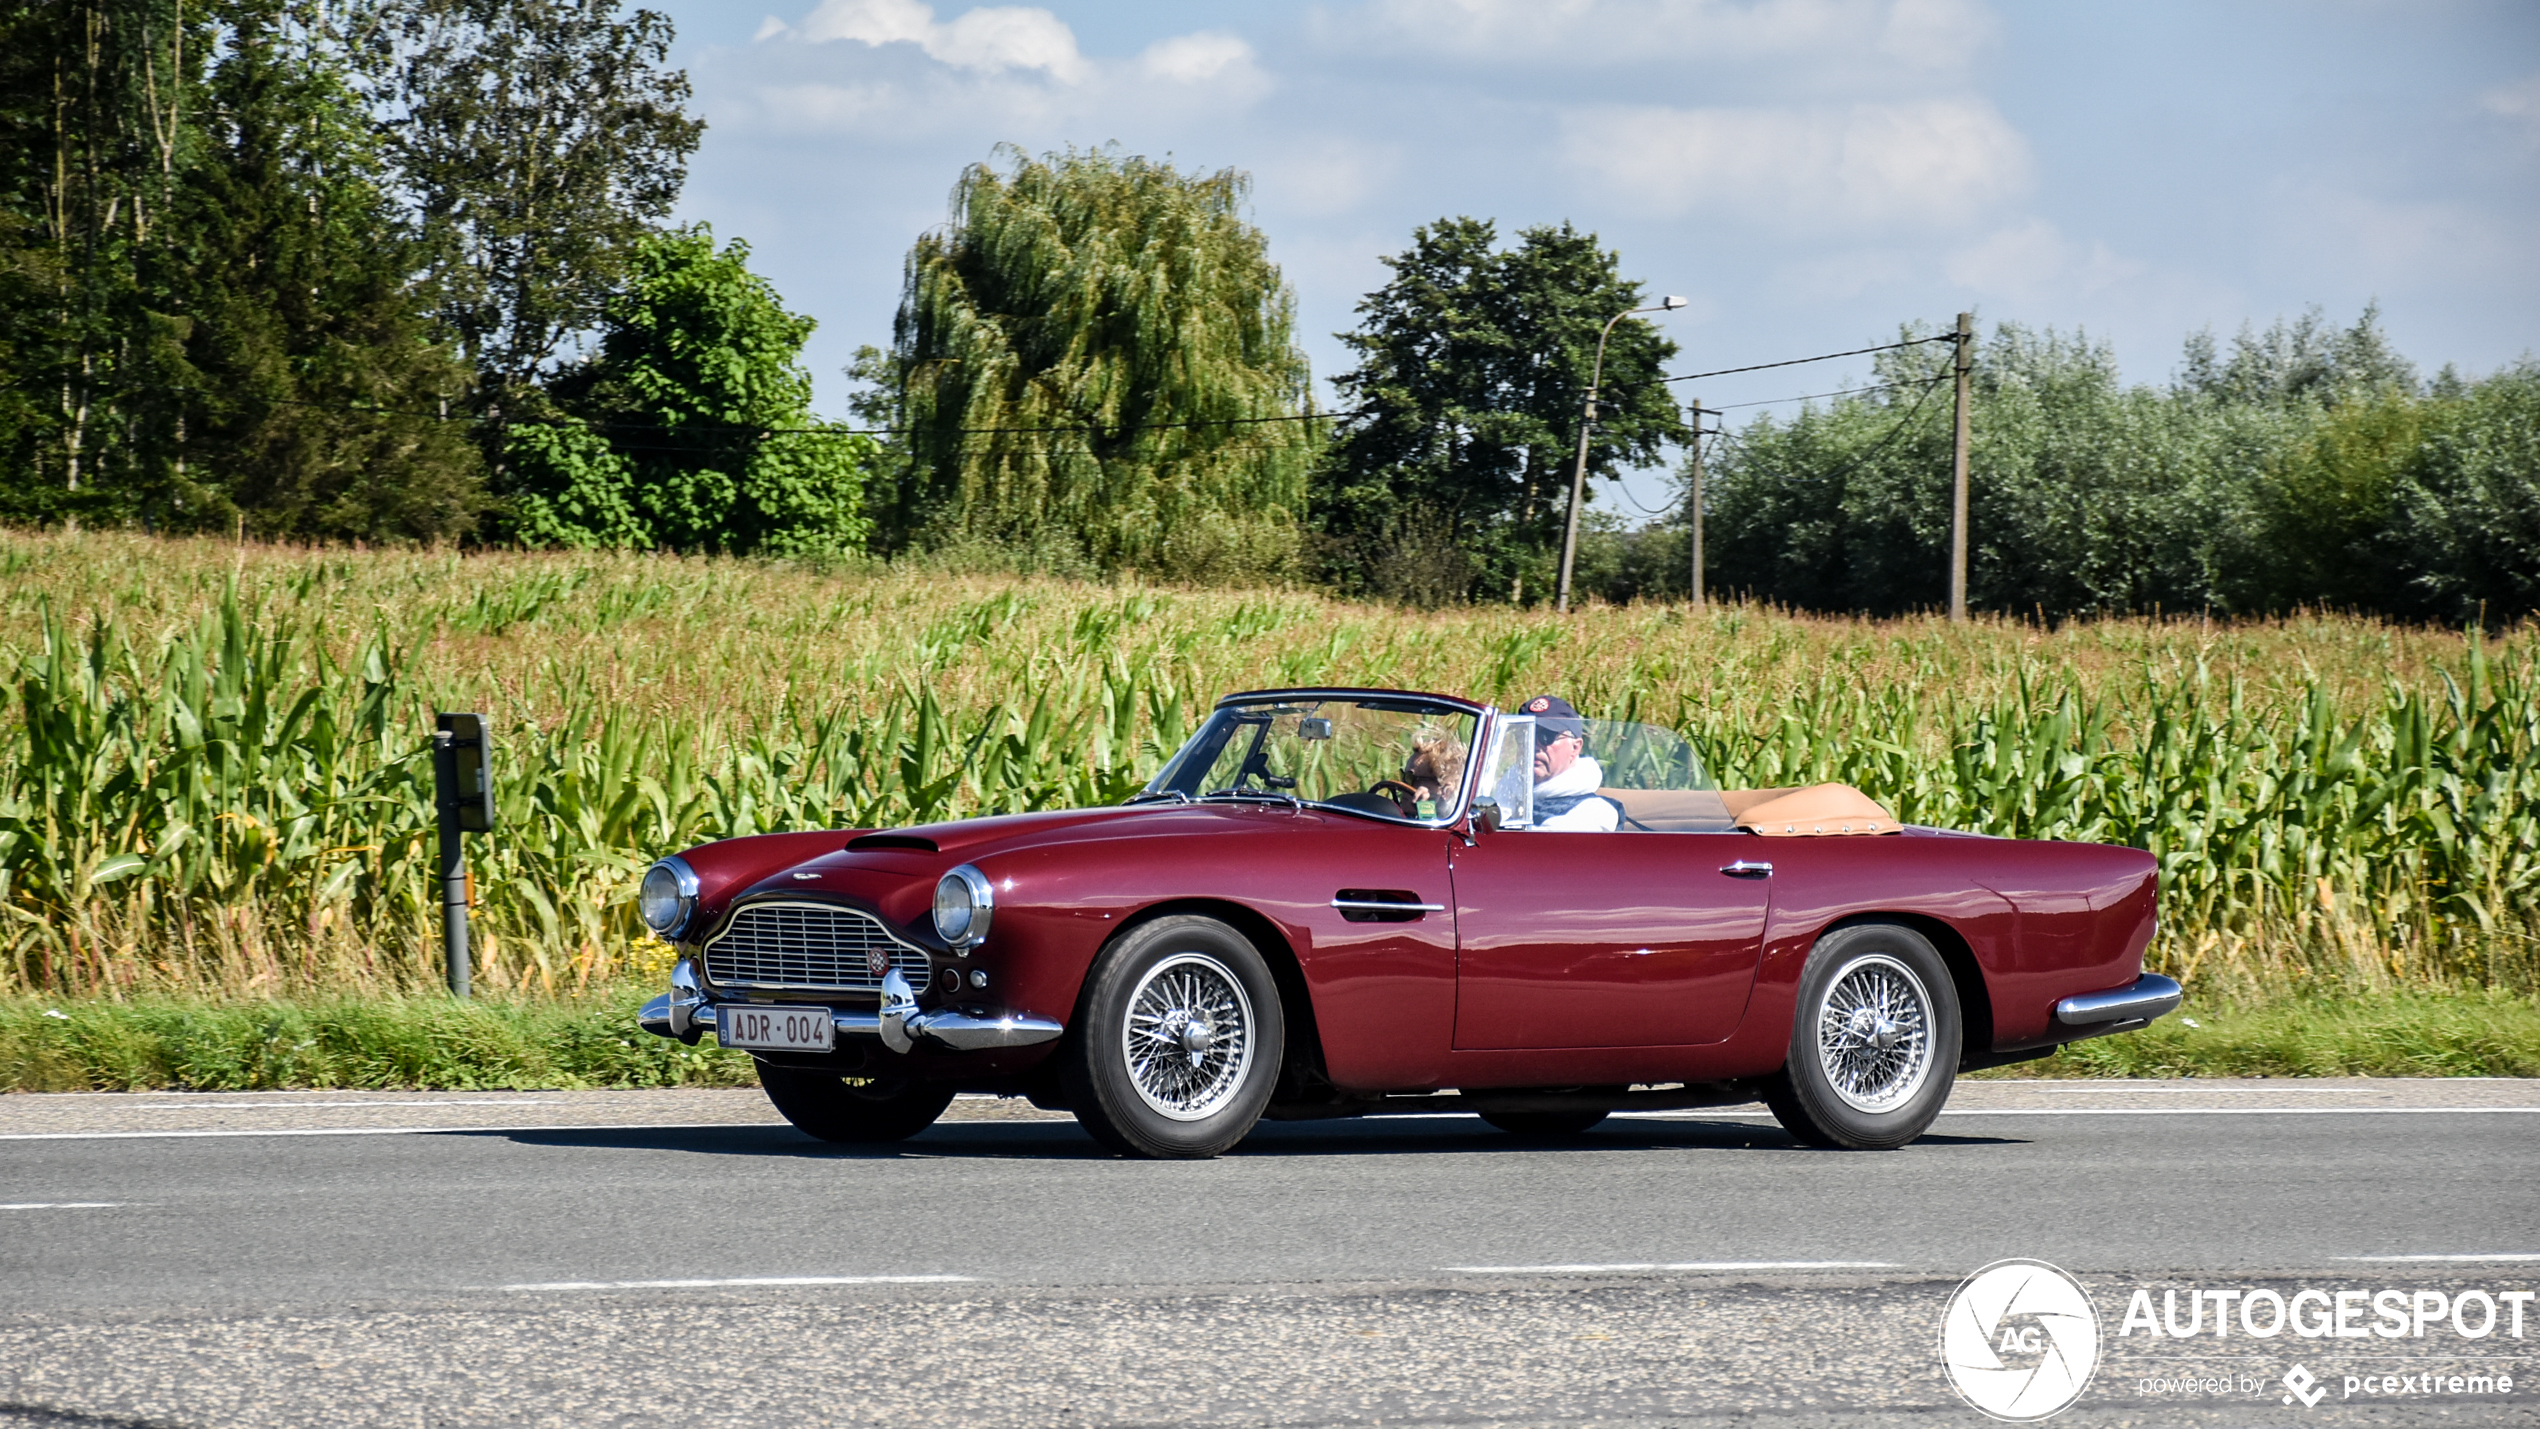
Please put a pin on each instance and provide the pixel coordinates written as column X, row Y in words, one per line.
column 1807, row 174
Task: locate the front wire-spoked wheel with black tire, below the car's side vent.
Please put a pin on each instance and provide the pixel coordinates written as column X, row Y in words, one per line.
column 1203, row 991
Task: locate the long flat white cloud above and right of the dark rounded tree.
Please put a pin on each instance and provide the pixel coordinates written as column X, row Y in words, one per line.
column 1939, row 161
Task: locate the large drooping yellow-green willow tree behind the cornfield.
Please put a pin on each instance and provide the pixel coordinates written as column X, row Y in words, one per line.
column 1099, row 359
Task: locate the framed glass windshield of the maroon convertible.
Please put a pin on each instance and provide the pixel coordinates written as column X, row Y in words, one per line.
column 1388, row 758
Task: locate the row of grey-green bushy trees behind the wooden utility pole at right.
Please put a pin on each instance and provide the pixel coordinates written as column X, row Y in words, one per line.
column 2308, row 471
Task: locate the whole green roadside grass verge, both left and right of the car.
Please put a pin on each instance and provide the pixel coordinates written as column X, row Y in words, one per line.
column 593, row 1044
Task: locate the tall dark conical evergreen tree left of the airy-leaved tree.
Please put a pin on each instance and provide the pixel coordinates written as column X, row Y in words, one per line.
column 296, row 382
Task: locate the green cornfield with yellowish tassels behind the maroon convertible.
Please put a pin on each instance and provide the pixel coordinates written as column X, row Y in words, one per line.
column 217, row 773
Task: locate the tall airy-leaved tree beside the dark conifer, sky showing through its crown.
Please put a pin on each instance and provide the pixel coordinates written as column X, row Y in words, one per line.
column 537, row 143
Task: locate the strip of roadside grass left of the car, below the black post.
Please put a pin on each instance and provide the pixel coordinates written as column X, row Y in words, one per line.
column 349, row 1042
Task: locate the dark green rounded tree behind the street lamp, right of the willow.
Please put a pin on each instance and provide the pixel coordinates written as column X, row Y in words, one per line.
column 1474, row 374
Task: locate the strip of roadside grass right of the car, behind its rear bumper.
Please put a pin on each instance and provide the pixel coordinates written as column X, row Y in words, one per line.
column 2369, row 1034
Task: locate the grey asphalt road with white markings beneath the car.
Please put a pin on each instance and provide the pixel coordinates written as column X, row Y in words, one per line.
column 344, row 1260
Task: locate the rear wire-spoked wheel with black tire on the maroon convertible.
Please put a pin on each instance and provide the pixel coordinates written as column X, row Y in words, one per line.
column 1873, row 1042
